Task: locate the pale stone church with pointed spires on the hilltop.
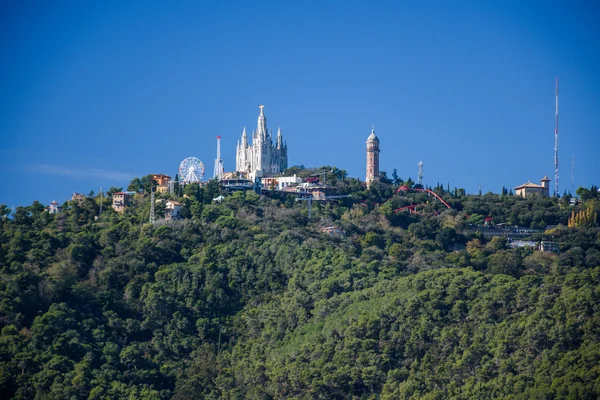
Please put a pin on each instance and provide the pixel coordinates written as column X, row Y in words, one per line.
column 262, row 157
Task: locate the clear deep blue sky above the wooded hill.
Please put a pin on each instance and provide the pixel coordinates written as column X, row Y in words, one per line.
column 97, row 92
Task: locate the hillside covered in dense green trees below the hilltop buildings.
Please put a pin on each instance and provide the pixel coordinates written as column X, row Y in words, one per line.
column 249, row 299
